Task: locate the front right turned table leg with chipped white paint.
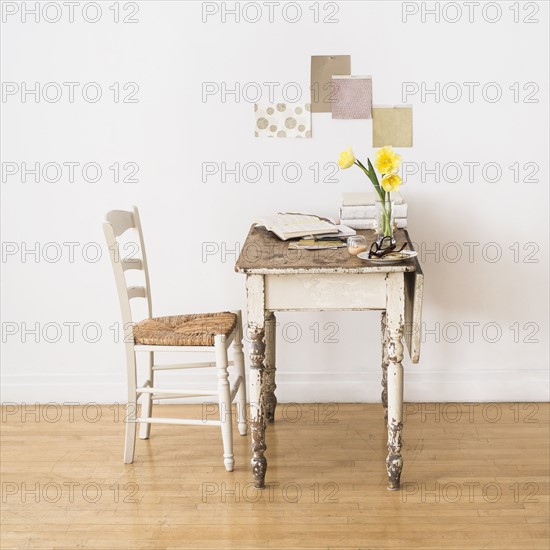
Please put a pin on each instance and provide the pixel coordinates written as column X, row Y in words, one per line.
column 395, row 326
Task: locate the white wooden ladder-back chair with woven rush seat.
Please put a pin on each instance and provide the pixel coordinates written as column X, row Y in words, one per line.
column 211, row 332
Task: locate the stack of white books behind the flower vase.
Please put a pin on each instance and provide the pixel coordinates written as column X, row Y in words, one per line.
column 358, row 210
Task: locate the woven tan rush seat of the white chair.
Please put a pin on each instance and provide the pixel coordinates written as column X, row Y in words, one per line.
column 184, row 330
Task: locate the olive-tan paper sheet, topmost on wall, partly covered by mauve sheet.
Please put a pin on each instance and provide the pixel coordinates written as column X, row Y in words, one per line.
column 323, row 67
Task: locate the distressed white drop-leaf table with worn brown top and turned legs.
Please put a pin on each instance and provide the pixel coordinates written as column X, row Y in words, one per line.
column 279, row 279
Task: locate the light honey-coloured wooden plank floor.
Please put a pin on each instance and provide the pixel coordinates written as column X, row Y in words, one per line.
column 475, row 476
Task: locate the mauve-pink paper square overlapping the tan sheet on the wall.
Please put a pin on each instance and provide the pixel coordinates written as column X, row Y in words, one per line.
column 352, row 97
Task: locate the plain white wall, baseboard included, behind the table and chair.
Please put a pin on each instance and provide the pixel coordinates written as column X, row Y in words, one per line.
column 171, row 131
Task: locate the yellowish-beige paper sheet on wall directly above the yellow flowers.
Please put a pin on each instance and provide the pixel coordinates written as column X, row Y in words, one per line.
column 392, row 126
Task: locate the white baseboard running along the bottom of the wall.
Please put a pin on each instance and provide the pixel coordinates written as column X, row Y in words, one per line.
column 342, row 387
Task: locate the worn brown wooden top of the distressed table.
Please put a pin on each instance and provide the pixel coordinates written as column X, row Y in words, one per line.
column 264, row 253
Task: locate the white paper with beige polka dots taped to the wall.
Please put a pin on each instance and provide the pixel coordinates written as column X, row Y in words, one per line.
column 290, row 120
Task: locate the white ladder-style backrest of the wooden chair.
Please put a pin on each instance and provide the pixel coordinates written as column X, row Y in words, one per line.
column 116, row 223
